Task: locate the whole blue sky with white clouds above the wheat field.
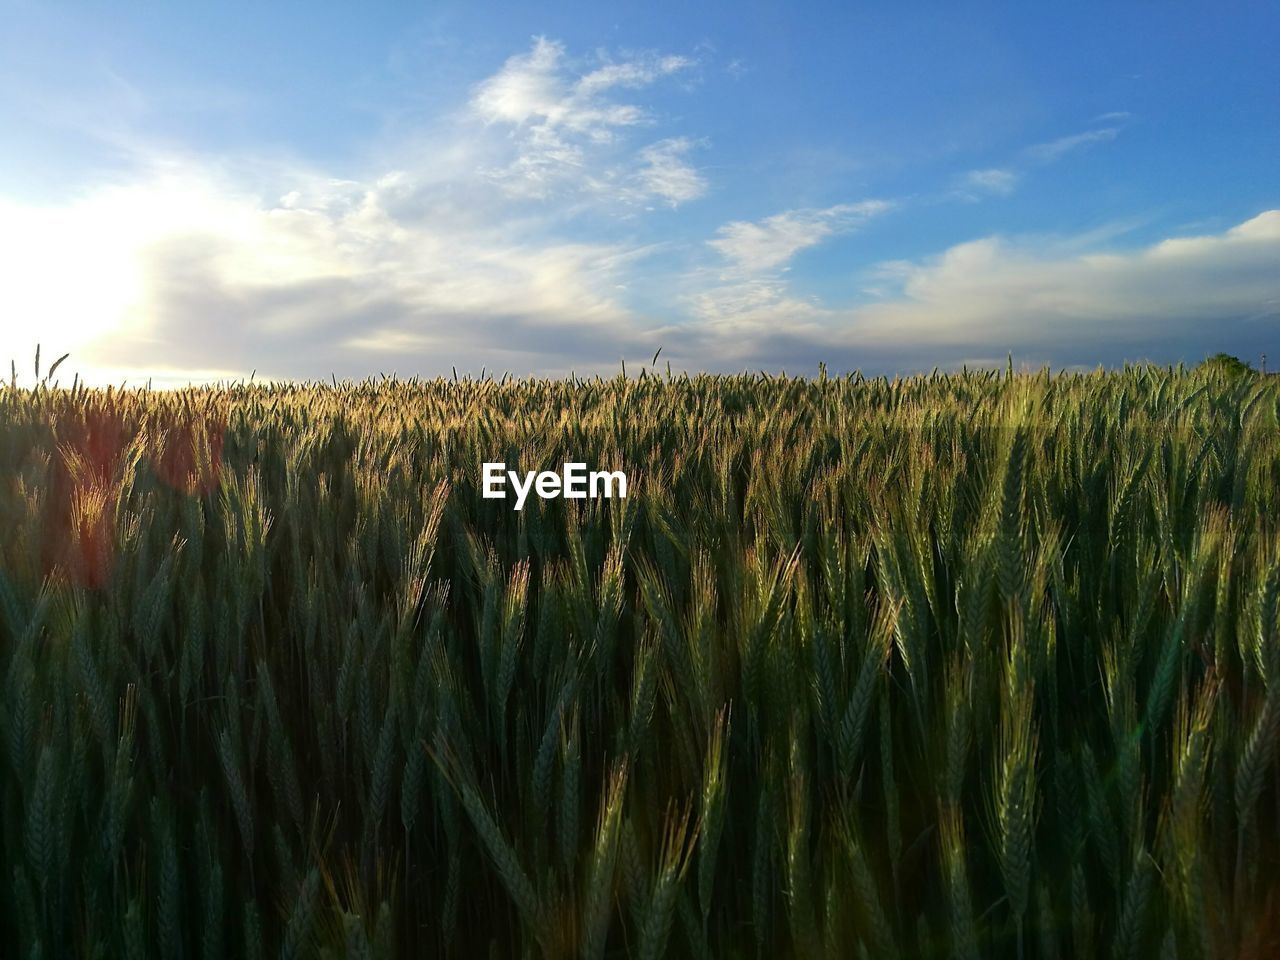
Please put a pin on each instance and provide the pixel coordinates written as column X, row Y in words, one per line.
column 200, row 191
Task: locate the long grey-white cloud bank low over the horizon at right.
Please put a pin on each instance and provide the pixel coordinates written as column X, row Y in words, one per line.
column 1178, row 299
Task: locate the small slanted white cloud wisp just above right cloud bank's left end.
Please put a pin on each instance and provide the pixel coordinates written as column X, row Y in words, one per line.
column 770, row 244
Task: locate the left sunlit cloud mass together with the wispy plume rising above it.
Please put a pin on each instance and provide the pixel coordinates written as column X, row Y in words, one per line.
column 212, row 264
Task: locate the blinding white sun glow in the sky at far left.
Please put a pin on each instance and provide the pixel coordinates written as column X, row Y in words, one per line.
column 81, row 275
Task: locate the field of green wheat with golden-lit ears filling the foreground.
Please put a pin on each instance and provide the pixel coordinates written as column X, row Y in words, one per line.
column 956, row 666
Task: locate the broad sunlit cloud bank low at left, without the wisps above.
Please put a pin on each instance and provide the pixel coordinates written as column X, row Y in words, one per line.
column 188, row 271
